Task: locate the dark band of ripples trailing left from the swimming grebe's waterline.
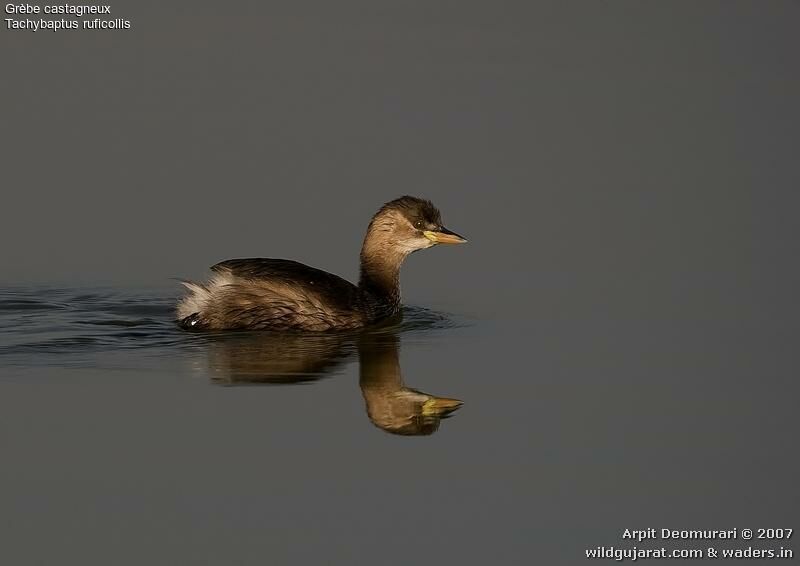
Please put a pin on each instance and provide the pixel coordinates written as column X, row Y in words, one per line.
column 55, row 326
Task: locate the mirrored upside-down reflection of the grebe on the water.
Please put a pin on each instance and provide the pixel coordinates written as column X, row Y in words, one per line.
column 274, row 358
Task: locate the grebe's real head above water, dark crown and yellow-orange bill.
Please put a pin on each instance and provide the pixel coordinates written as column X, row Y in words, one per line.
column 407, row 224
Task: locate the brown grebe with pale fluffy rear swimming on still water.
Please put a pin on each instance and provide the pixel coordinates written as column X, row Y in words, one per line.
column 285, row 295
